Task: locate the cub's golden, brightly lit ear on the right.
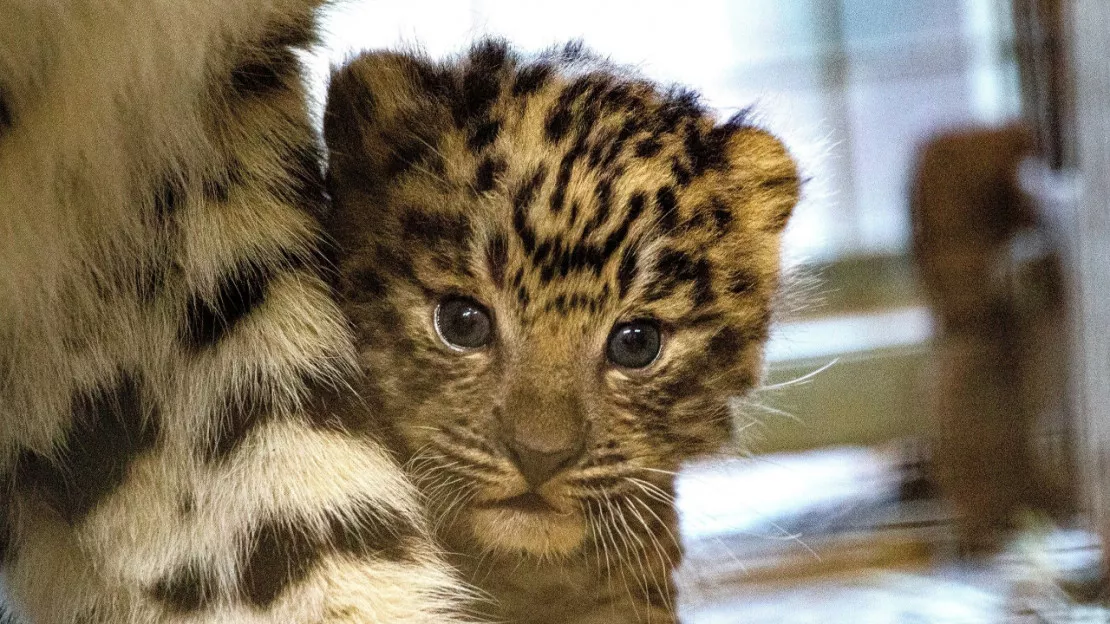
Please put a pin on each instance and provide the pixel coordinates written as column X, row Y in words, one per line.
column 762, row 172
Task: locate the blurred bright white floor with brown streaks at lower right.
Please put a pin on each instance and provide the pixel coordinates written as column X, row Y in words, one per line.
column 847, row 536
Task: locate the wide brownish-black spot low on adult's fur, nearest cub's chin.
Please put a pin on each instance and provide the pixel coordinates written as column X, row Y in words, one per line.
column 284, row 552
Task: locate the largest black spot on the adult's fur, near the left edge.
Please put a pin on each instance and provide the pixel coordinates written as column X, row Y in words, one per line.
column 112, row 427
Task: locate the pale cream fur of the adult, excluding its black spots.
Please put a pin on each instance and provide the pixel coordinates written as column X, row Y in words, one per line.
column 109, row 98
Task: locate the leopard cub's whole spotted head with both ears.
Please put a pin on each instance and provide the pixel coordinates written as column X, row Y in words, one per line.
column 558, row 276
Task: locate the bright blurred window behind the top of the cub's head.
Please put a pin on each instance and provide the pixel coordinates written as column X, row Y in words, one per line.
column 852, row 86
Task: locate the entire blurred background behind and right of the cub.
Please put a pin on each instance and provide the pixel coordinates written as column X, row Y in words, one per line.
column 930, row 442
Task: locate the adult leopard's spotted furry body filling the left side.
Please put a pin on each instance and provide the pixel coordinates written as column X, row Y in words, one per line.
column 169, row 351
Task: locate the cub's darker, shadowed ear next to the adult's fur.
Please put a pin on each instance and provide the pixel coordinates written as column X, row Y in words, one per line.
column 385, row 109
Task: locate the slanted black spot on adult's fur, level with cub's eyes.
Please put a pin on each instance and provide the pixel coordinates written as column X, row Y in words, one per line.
column 238, row 293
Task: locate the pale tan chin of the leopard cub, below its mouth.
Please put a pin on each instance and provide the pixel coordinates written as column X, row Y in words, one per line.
column 522, row 530
